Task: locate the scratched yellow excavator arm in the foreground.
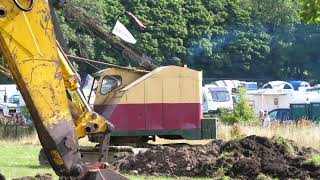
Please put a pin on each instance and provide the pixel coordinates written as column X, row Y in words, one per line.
column 43, row 75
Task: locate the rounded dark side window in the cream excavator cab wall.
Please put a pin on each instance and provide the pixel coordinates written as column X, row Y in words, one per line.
column 110, row 83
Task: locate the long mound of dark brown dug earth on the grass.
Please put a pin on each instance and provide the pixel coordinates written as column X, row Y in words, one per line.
column 243, row 159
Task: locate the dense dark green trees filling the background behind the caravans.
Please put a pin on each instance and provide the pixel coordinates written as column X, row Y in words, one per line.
column 224, row 38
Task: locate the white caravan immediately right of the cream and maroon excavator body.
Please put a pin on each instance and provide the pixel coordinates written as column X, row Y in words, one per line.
column 215, row 98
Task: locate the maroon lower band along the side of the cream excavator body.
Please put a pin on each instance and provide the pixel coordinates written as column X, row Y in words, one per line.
column 152, row 116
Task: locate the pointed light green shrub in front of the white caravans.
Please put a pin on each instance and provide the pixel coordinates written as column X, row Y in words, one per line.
column 242, row 111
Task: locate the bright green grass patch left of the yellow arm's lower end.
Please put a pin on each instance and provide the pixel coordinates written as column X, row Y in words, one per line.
column 21, row 160
